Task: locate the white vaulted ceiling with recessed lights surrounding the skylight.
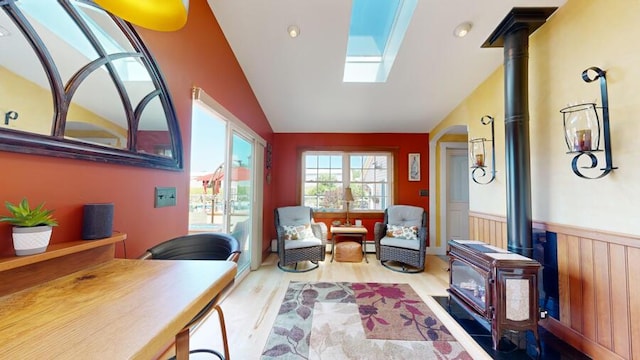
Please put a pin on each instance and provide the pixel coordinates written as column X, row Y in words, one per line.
column 298, row 81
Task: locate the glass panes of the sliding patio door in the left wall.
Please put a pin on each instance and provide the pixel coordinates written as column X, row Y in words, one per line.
column 222, row 179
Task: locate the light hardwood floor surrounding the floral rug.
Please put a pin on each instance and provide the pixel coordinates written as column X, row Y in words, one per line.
column 251, row 307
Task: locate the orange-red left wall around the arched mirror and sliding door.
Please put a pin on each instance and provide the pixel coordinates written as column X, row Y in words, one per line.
column 197, row 55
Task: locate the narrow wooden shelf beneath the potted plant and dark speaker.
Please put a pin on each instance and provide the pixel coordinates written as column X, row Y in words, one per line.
column 58, row 250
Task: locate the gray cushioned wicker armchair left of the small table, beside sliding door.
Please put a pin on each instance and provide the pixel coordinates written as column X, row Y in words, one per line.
column 299, row 238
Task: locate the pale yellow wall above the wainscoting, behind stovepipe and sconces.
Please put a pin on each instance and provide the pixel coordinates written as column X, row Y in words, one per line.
column 581, row 34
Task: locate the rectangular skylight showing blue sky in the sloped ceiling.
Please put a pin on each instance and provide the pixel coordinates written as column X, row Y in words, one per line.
column 375, row 35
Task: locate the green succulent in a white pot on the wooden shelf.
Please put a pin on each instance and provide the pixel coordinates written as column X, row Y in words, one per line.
column 31, row 227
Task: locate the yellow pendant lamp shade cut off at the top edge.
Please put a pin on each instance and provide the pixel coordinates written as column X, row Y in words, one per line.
column 160, row 15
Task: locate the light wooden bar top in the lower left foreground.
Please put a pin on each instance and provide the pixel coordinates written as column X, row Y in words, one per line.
column 119, row 309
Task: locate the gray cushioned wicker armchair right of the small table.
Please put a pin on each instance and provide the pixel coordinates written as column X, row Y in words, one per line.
column 402, row 238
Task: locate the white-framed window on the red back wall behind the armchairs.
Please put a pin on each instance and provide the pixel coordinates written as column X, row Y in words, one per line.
column 327, row 174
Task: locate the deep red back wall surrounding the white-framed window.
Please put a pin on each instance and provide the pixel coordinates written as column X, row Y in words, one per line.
column 285, row 178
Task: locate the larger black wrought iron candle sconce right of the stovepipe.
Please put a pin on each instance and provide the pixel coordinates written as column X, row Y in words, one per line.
column 582, row 129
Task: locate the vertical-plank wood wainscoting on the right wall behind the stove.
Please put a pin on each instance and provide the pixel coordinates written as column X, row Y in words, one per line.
column 599, row 285
